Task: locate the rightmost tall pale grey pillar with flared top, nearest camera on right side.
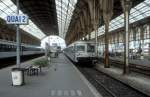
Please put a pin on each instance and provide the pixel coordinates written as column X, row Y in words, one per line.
column 126, row 4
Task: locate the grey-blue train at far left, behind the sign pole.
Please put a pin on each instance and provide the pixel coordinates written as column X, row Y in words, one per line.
column 8, row 49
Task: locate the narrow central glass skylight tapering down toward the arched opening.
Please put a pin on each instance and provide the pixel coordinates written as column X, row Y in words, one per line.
column 65, row 10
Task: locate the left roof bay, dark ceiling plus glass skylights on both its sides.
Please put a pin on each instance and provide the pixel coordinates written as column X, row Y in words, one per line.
column 46, row 17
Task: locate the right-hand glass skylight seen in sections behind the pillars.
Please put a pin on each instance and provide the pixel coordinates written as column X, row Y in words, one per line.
column 139, row 12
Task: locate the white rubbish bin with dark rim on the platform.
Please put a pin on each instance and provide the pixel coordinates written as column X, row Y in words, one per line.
column 17, row 76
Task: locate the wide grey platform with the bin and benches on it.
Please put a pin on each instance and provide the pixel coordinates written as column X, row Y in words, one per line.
column 60, row 79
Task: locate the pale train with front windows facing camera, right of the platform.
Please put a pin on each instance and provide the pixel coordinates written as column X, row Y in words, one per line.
column 81, row 51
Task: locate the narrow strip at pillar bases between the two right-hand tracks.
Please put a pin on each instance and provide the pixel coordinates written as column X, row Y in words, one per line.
column 138, row 81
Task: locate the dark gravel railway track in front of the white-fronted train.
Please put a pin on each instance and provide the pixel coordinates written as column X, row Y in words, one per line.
column 108, row 86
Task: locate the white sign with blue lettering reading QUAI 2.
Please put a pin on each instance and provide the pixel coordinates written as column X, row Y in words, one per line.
column 17, row 19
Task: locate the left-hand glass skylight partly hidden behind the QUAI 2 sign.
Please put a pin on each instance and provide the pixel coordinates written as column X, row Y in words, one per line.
column 7, row 7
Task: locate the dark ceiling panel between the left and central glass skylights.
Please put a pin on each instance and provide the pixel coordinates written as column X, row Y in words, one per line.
column 45, row 10
